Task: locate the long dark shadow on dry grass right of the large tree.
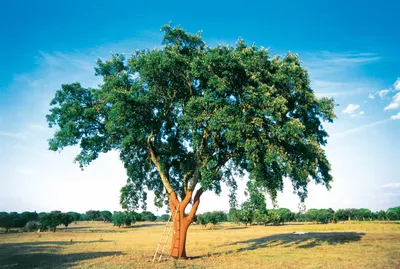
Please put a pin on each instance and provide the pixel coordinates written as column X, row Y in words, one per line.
column 303, row 241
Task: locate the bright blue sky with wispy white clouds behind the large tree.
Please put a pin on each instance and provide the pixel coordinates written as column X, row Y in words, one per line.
column 349, row 47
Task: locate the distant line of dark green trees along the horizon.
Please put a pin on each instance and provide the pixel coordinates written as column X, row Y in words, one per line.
column 250, row 212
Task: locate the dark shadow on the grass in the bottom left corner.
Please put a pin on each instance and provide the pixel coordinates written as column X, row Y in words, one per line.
column 46, row 254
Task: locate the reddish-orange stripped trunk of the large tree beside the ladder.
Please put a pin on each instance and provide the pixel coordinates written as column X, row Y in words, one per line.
column 182, row 222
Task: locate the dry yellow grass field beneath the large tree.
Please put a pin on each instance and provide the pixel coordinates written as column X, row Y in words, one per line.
column 100, row 245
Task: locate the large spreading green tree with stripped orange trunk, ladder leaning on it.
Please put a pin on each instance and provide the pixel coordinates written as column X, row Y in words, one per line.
column 185, row 116
